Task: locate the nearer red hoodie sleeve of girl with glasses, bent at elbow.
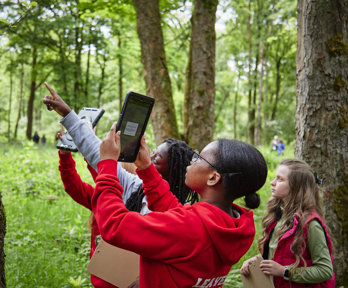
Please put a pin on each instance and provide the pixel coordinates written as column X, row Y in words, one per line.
column 156, row 235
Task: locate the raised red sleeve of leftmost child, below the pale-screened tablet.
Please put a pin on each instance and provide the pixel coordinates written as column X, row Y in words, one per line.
column 78, row 190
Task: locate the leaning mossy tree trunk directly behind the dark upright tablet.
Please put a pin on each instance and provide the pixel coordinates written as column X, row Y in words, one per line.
column 156, row 72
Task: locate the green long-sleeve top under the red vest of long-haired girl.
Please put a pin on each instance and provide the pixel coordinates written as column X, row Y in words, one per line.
column 322, row 269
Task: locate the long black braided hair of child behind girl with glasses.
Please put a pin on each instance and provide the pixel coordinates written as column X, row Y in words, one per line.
column 179, row 157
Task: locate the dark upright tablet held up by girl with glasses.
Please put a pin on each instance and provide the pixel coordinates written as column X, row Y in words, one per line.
column 132, row 123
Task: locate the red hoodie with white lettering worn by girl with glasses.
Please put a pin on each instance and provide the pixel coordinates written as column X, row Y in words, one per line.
column 186, row 246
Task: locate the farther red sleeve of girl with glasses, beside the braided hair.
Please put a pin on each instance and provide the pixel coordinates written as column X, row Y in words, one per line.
column 157, row 190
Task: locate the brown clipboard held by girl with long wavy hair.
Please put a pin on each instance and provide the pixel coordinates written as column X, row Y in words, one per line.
column 257, row 279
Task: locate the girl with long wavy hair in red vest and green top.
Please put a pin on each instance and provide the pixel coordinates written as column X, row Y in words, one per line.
column 295, row 243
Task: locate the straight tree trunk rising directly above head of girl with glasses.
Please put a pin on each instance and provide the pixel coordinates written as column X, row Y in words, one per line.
column 201, row 70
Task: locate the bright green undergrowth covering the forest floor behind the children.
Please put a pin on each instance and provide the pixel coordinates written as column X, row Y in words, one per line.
column 47, row 242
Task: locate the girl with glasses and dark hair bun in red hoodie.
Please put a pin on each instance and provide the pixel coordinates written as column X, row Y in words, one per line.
column 183, row 245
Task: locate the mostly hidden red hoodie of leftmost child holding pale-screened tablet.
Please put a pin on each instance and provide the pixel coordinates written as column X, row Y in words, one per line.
column 81, row 192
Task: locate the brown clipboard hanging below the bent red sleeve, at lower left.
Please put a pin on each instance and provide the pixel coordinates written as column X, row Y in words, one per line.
column 115, row 265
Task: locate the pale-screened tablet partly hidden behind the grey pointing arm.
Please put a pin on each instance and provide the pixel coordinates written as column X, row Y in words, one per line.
column 89, row 114
